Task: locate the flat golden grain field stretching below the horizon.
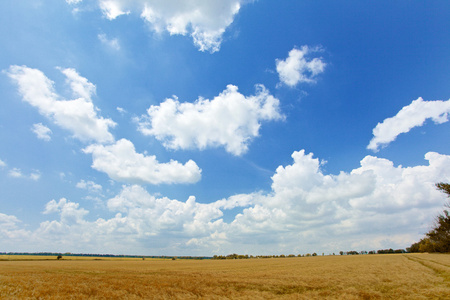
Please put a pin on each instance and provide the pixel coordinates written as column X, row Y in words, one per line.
column 390, row 276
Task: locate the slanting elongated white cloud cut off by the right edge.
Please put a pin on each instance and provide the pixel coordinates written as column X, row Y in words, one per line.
column 410, row 116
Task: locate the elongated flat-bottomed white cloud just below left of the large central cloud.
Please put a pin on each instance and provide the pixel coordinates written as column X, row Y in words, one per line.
column 122, row 163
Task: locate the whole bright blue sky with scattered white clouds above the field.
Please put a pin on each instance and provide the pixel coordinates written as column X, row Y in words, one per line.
column 215, row 127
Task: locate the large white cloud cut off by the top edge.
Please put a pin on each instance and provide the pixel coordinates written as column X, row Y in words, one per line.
column 204, row 21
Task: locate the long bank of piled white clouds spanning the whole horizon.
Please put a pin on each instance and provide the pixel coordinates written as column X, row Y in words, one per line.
column 376, row 205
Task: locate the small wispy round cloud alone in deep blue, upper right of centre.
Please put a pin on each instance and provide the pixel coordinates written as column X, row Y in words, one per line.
column 298, row 68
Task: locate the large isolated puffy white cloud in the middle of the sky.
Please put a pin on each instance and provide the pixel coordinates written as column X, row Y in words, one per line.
column 231, row 120
